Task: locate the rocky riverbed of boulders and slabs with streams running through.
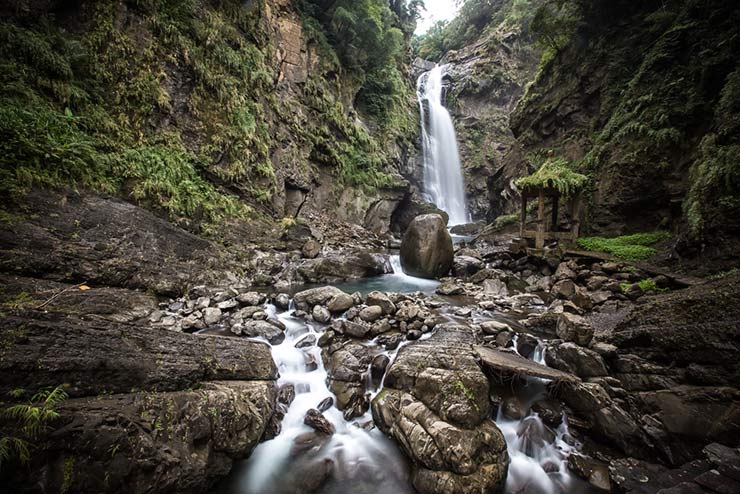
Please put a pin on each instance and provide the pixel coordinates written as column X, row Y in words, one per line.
column 516, row 374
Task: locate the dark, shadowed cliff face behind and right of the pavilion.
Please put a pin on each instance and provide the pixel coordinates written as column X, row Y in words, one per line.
column 644, row 96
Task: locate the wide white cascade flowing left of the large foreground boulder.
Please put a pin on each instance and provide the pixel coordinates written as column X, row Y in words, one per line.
column 353, row 459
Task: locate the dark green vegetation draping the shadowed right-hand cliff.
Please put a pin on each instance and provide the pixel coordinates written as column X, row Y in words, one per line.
column 664, row 110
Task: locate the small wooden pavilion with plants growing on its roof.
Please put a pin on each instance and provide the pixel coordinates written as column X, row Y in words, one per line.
column 555, row 181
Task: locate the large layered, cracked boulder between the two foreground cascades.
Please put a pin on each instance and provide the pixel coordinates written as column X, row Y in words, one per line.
column 435, row 405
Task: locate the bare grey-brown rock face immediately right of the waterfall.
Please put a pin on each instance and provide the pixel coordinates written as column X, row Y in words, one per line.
column 487, row 79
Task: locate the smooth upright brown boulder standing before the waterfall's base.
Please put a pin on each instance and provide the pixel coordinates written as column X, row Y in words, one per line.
column 426, row 249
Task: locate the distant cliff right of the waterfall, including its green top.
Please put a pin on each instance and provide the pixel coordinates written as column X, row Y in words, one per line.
column 490, row 56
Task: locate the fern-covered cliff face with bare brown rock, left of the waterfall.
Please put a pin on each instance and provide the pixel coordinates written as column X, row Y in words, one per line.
column 199, row 111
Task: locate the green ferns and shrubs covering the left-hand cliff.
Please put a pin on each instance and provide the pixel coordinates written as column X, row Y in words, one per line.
column 176, row 105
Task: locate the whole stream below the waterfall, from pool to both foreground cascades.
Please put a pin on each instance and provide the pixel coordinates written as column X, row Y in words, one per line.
column 359, row 458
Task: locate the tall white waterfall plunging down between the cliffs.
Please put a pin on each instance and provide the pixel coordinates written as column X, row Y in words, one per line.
column 443, row 181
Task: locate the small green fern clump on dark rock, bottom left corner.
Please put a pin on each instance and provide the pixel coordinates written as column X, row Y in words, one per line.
column 33, row 420
